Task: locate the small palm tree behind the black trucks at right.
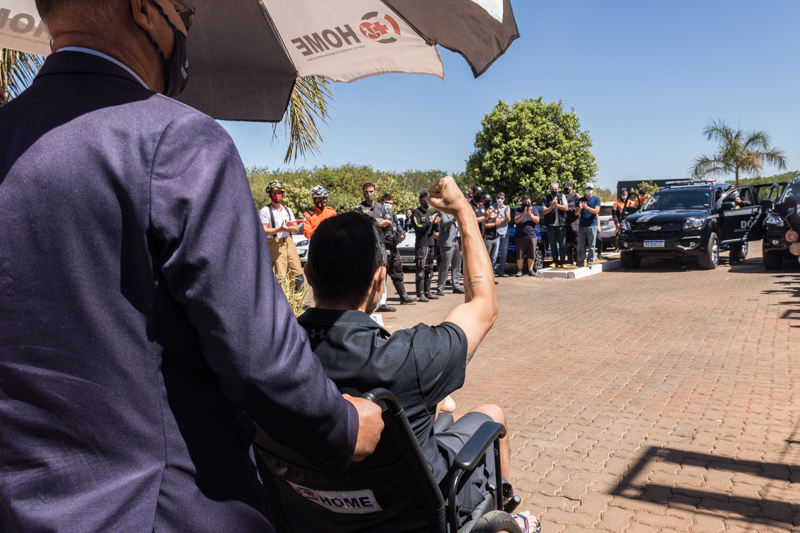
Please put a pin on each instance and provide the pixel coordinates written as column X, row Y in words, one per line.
column 739, row 152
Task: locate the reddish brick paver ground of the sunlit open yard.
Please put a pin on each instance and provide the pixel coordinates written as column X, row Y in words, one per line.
column 662, row 399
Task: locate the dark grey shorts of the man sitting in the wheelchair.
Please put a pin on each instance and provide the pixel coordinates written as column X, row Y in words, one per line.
column 474, row 491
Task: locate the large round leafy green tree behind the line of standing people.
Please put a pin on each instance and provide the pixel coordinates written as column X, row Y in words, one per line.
column 522, row 148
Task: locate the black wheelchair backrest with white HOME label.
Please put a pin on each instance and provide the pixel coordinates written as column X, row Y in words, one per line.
column 392, row 490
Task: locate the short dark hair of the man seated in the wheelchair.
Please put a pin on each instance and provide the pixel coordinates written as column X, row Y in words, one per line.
column 343, row 255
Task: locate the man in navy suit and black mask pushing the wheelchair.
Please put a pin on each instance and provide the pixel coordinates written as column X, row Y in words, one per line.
column 141, row 327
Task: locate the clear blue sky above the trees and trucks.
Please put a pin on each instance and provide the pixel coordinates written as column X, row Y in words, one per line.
column 645, row 77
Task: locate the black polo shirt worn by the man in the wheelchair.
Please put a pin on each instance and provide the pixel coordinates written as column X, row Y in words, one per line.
column 421, row 365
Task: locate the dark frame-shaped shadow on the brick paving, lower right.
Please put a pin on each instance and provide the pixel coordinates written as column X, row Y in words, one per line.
column 764, row 511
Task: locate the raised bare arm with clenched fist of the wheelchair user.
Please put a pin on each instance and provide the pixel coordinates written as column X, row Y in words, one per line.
column 477, row 315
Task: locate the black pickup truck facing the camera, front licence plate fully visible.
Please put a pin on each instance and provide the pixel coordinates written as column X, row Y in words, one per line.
column 694, row 218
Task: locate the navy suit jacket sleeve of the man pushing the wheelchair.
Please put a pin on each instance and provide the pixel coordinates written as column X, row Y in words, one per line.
column 213, row 254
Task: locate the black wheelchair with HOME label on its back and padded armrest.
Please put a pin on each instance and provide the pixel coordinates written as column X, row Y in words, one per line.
column 391, row 491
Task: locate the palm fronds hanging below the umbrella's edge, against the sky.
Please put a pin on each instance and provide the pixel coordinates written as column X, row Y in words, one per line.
column 309, row 103
